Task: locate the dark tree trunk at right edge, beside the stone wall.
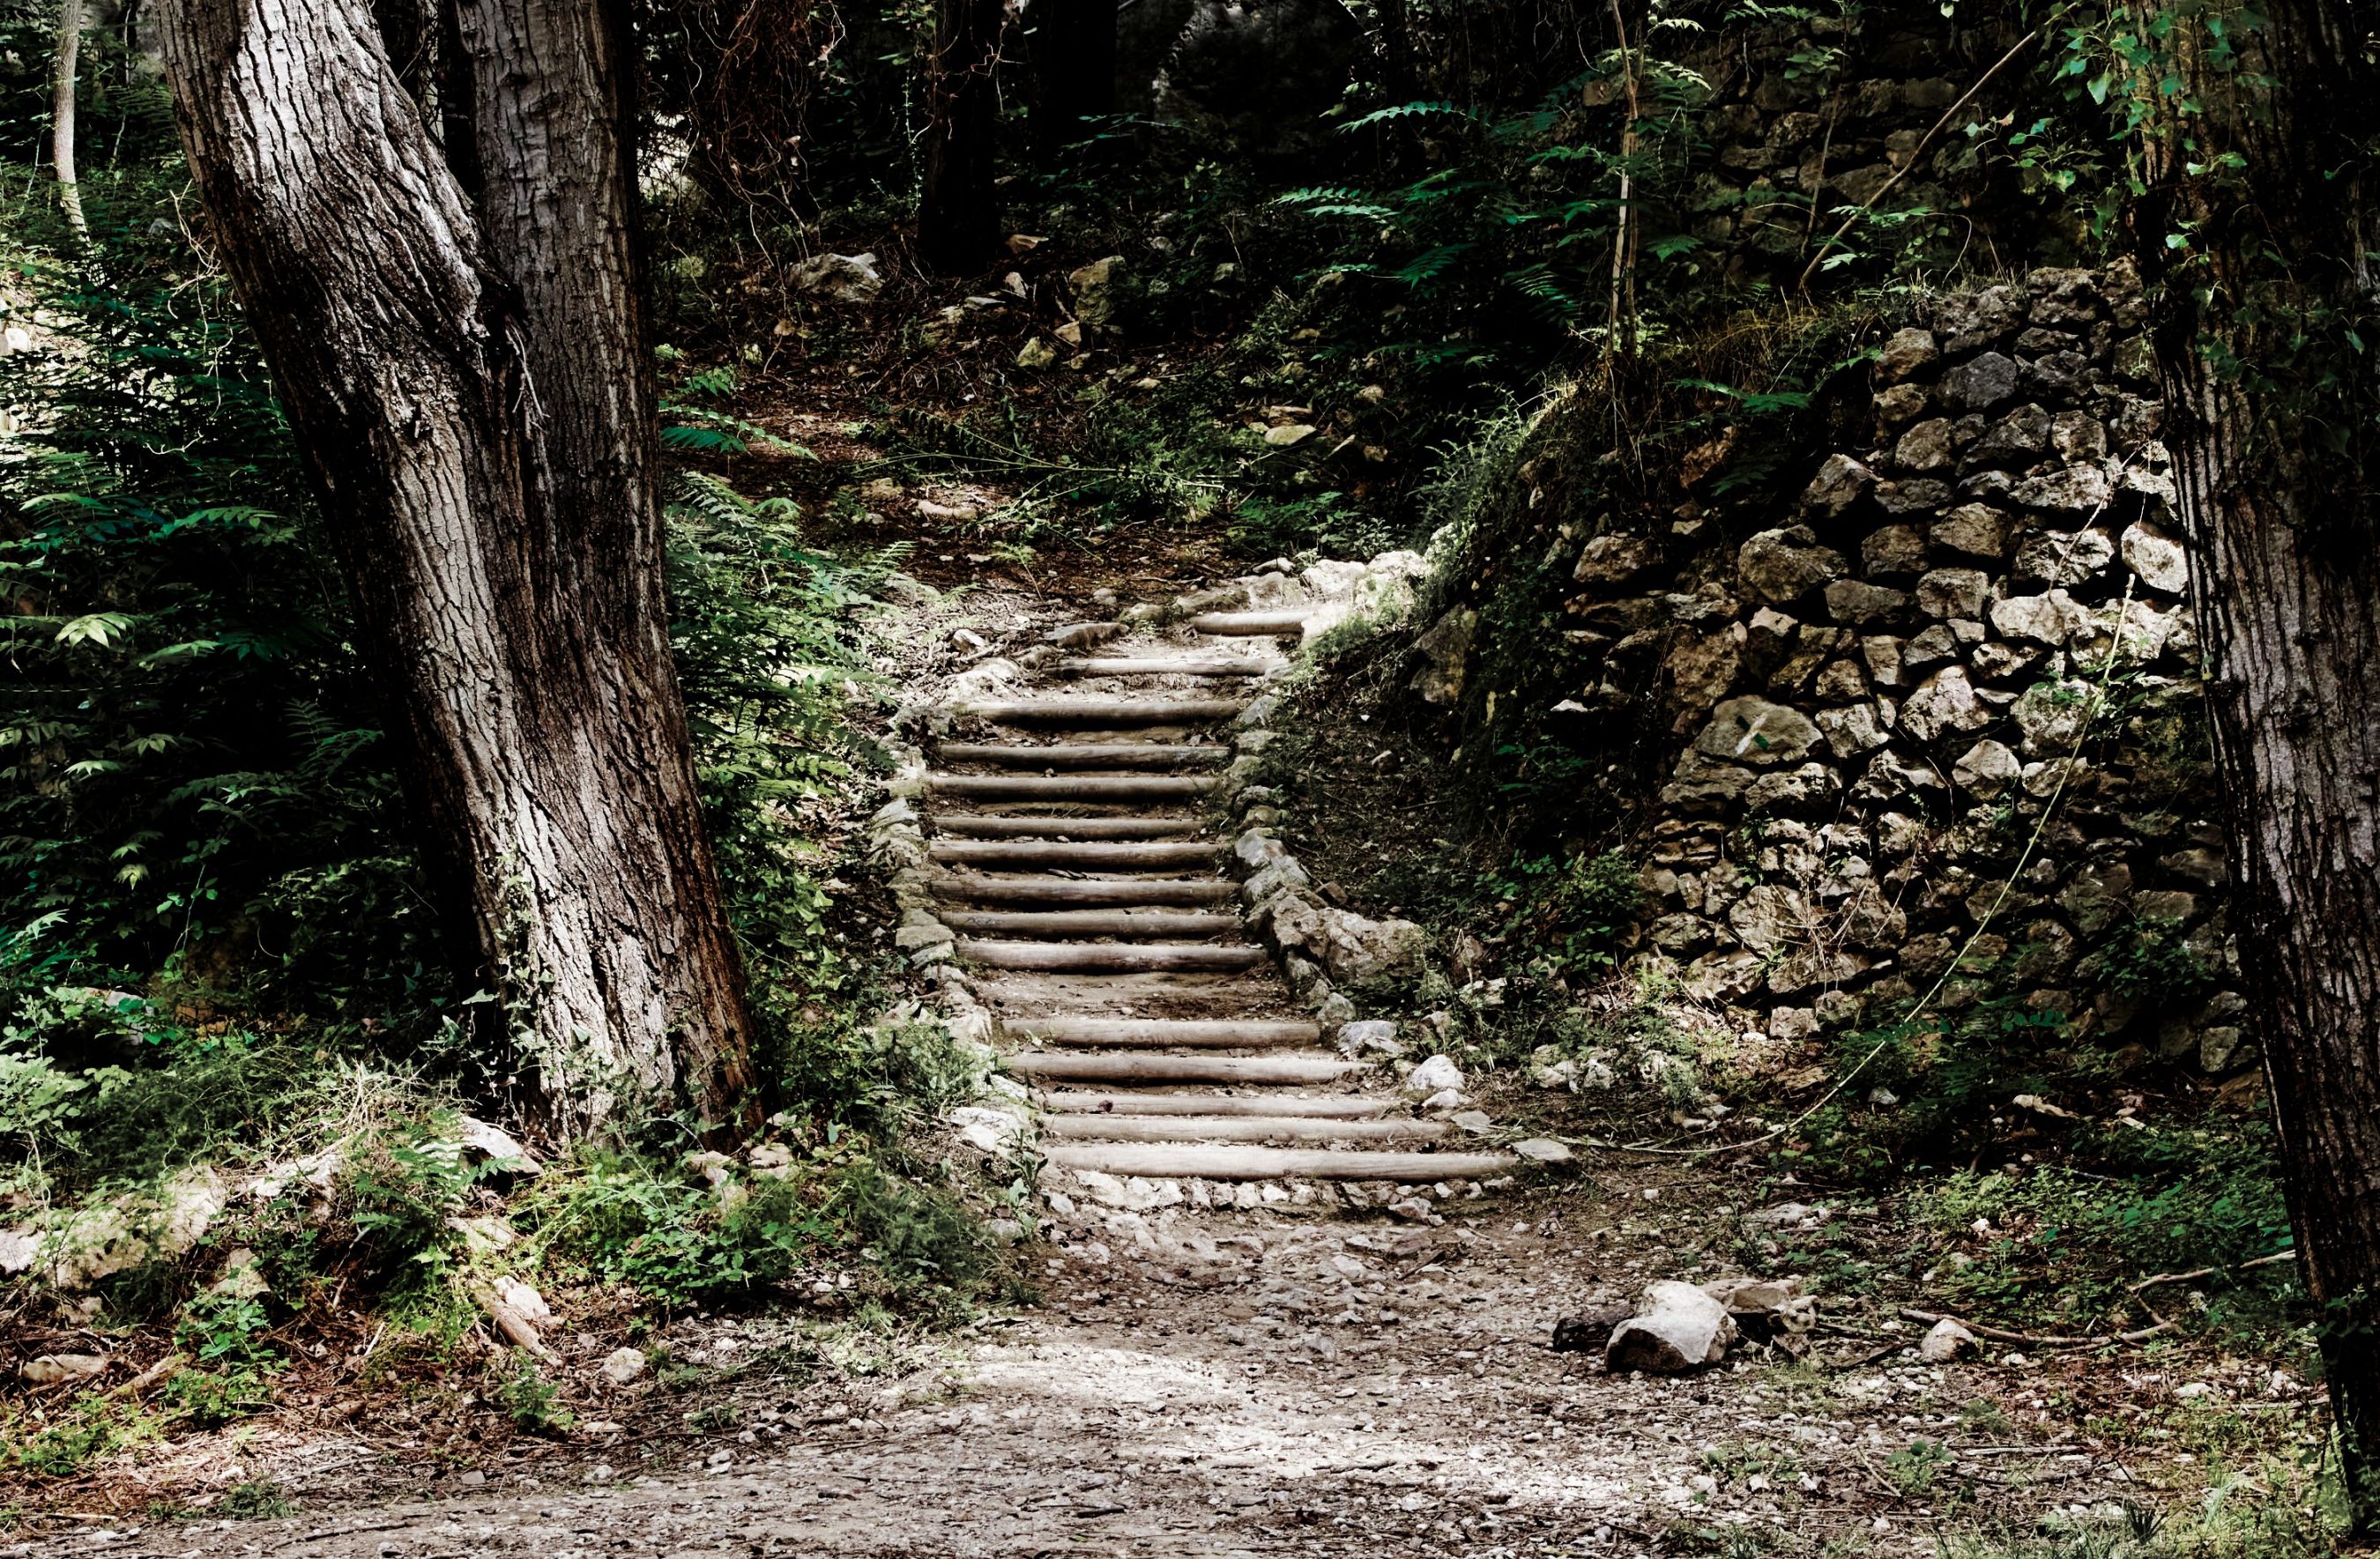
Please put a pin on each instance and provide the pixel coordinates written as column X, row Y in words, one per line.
column 2272, row 422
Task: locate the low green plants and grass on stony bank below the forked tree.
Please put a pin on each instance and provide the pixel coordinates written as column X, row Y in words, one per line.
column 346, row 1244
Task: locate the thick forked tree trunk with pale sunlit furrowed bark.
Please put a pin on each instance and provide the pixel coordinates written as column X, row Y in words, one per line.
column 475, row 403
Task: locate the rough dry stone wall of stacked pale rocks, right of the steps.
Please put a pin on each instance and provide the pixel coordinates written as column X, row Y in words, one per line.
column 1936, row 725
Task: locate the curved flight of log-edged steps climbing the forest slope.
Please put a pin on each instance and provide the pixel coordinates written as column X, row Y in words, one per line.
column 1075, row 856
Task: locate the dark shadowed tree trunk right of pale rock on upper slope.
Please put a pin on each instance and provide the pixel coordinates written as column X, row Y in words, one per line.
column 958, row 215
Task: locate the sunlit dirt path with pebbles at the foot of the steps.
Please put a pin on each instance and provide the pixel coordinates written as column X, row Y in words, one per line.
column 1272, row 1384
